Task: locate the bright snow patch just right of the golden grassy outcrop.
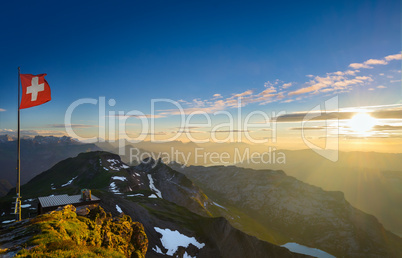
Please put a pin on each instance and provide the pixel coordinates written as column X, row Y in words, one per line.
column 171, row 240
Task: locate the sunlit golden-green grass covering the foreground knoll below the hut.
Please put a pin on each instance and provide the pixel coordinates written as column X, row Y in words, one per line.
column 65, row 234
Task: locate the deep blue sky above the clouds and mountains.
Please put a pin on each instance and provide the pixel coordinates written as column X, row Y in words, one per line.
column 190, row 50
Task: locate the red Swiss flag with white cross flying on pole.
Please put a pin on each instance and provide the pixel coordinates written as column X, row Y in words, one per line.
column 35, row 90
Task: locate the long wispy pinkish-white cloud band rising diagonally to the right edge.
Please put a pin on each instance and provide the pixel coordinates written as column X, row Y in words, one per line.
column 286, row 92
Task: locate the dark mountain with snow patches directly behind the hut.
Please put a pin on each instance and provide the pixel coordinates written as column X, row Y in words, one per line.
column 165, row 201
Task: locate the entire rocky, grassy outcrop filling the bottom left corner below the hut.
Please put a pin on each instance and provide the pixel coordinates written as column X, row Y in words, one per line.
column 63, row 233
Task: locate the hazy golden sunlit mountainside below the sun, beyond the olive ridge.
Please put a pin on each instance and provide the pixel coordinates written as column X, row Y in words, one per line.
column 371, row 181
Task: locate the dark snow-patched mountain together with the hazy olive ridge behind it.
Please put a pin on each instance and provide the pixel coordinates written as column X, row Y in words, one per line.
column 223, row 211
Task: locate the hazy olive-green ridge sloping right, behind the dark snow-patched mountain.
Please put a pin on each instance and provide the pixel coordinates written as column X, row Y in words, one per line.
column 306, row 214
